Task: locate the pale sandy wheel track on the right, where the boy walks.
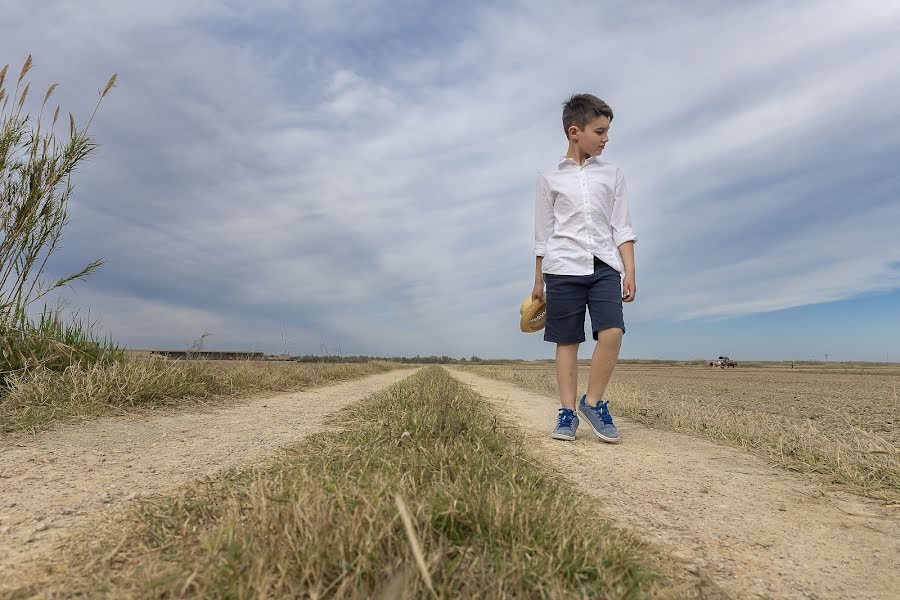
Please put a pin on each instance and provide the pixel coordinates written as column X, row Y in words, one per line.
column 758, row 531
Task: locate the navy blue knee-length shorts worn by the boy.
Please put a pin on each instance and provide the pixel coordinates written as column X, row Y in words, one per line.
column 569, row 295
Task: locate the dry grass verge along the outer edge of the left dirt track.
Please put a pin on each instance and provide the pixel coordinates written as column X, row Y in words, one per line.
column 40, row 397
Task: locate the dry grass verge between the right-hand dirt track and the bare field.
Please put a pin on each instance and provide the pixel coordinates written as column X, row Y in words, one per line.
column 840, row 450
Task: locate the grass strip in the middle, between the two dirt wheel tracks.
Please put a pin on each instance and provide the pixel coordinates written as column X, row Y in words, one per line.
column 422, row 493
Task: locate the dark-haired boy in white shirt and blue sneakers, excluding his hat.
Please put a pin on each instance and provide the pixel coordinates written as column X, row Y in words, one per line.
column 583, row 245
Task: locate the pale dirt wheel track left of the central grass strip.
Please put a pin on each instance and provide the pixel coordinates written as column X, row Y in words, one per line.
column 67, row 477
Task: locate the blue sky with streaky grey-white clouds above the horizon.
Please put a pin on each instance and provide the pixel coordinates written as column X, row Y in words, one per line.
column 288, row 175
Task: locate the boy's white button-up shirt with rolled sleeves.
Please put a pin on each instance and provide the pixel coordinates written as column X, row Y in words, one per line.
column 581, row 211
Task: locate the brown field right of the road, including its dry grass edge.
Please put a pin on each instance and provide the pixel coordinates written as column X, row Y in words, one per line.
column 840, row 423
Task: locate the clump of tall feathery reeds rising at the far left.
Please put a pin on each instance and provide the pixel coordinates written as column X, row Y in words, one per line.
column 35, row 187
